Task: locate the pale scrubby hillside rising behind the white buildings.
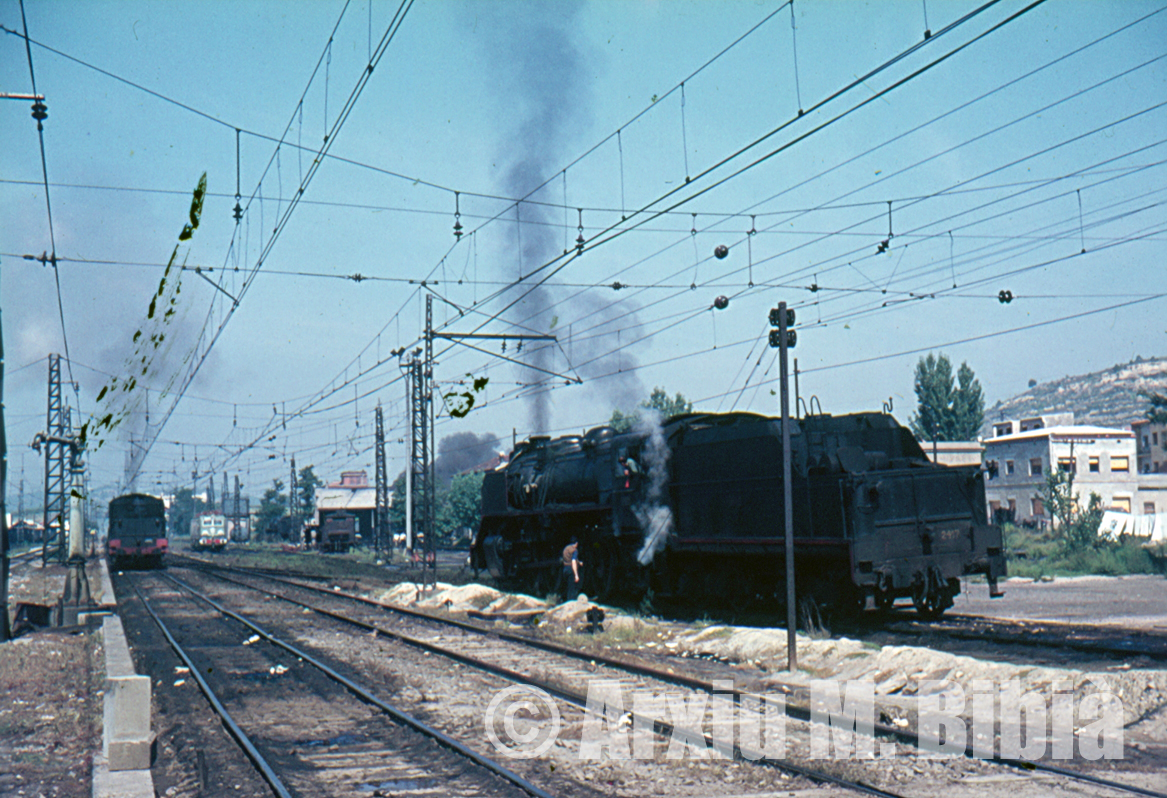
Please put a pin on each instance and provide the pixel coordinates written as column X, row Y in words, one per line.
column 1108, row 398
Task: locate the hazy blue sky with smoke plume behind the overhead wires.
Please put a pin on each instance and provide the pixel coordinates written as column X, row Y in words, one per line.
column 1001, row 162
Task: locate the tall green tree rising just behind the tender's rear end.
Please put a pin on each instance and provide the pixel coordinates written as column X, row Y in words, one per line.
column 947, row 410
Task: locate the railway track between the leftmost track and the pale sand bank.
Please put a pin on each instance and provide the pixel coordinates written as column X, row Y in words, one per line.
column 516, row 657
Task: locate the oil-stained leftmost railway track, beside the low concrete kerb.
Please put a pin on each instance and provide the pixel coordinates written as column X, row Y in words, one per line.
column 351, row 748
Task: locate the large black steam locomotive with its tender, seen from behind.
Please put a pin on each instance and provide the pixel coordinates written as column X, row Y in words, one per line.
column 873, row 516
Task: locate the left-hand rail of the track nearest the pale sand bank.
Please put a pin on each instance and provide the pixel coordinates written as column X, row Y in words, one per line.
column 660, row 727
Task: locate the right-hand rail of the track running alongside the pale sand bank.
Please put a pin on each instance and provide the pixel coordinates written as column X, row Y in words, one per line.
column 793, row 711
